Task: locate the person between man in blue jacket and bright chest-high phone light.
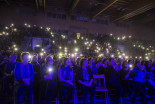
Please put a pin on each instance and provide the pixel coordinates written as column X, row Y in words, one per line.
column 36, row 80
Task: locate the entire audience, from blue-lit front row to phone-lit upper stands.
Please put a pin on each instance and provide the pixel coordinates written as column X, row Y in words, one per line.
column 71, row 64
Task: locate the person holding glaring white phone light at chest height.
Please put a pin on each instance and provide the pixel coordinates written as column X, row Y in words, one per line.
column 48, row 80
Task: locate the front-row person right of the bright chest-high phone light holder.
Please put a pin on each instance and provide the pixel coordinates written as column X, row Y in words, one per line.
column 66, row 80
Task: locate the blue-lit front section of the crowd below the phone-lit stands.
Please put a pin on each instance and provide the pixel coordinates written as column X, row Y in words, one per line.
column 49, row 77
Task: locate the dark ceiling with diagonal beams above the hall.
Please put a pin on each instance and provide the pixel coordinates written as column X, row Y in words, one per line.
column 135, row 11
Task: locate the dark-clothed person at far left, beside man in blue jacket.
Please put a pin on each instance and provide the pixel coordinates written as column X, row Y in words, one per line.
column 9, row 74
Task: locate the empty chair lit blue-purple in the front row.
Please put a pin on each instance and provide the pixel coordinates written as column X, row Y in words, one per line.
column 100, row 87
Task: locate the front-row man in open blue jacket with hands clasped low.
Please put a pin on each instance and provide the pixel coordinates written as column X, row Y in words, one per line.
column 24, row 74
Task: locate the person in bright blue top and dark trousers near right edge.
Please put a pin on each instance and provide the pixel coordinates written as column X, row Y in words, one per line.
column 139, row 78
